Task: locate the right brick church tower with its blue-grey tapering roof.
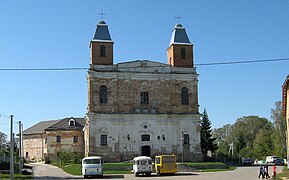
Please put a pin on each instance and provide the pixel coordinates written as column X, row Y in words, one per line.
column 180, row 51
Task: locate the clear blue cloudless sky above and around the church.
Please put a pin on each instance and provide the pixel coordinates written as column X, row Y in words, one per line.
column 56, row 34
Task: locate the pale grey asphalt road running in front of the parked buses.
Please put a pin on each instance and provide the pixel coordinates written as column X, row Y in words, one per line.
column 46, row 171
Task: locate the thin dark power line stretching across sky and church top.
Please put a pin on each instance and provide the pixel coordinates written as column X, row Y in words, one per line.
column 197, row 64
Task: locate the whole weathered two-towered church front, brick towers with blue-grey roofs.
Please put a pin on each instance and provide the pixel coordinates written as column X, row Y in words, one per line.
column 142, row 107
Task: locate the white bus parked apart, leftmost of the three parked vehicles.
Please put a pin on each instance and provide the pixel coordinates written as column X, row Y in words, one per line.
column 92, row 166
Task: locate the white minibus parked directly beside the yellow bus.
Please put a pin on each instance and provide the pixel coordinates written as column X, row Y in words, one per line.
column 142, row 165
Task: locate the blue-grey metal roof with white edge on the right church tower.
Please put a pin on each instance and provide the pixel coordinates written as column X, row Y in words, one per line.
column 179, row 36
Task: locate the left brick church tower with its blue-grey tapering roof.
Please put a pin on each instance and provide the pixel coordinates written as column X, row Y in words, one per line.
column 101, row 47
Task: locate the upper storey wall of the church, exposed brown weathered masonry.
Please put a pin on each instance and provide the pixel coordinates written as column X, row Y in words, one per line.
column 124, row 94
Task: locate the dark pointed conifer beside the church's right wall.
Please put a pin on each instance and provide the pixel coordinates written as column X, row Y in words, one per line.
column 207, row 141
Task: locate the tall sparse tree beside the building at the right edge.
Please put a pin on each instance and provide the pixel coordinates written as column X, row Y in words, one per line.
column 279, row 133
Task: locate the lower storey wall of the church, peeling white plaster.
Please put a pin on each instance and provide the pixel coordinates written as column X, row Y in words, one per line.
column 124, row 133
